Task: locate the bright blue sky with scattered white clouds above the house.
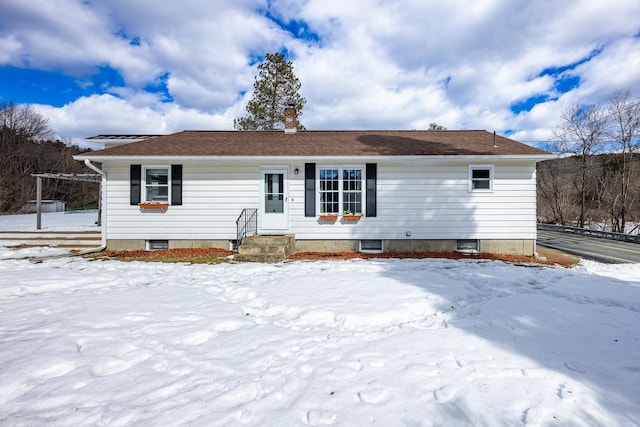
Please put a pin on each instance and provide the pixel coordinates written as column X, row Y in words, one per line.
column 139, row 66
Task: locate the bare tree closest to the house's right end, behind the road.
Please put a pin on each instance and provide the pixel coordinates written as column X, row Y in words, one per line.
column 582, row 131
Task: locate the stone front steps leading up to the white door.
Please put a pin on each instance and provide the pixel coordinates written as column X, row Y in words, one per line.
column 265, row 248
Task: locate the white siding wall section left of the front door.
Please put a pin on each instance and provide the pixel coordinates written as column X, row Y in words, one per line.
column 212, row 200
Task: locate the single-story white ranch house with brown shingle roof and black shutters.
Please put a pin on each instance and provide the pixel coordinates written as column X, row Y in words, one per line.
column 389, row 191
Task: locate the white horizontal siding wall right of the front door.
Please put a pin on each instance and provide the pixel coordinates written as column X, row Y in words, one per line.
column 434, row 202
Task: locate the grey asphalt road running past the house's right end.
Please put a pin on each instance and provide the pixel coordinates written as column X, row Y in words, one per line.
column 595, row 248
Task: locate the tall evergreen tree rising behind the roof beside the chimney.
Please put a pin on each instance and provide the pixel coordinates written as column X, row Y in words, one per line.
column 275, row 87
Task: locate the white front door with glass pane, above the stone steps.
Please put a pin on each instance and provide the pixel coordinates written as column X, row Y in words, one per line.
column 274, row 199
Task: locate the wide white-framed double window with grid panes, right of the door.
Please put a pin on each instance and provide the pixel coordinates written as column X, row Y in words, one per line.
column 340, row 190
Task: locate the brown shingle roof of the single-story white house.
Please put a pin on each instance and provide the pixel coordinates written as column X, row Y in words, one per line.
column 322, row 143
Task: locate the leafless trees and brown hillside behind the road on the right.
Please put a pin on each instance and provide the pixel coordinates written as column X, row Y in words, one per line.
column 596, row 183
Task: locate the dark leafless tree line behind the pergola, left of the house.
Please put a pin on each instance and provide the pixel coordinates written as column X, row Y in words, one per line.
column 27, row 147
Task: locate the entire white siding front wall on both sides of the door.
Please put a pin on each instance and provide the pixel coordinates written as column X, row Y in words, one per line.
column 429, row 199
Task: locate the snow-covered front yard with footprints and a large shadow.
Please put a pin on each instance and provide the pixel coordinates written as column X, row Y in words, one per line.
column 351, row 343
